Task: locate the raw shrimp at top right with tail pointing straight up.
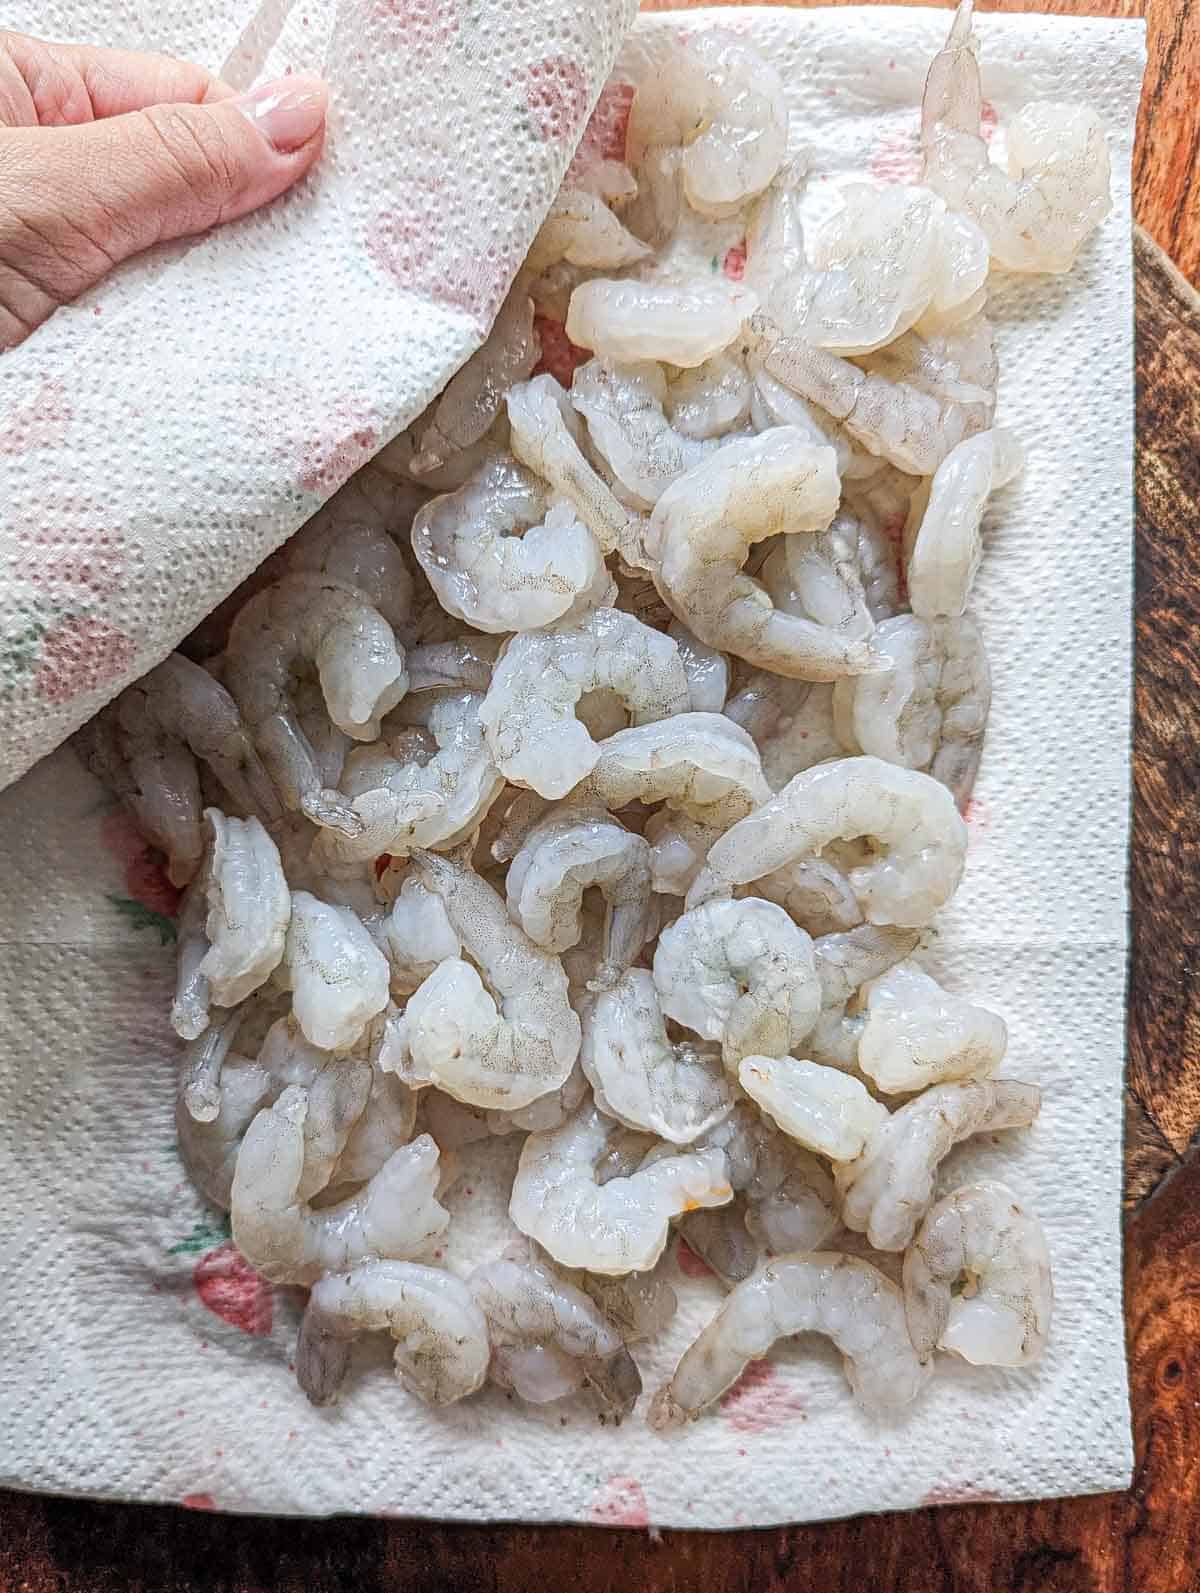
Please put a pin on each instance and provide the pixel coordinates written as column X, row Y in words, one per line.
column 1056, row 192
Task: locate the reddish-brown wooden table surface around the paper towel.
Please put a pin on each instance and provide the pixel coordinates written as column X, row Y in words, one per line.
column 1147, row 1541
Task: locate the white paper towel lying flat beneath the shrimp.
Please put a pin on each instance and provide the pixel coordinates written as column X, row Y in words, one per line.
column 146, row 1361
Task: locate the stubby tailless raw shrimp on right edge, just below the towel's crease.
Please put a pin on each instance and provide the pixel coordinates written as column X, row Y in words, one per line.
column 919, row 1035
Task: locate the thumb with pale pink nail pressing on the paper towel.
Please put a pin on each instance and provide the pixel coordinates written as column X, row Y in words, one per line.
column 76, row 202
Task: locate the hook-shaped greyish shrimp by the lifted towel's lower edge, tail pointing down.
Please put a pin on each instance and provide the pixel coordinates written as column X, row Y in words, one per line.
column 315, row 622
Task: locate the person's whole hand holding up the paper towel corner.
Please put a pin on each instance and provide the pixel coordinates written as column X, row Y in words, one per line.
column 106, row 152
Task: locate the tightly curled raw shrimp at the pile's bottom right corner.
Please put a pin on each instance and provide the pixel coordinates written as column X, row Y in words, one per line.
column 978, row 1280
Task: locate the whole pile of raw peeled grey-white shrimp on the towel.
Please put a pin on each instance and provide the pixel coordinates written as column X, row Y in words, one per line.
column 592, row 770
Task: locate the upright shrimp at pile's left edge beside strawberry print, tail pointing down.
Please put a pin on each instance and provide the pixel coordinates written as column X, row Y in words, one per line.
column 241, row 930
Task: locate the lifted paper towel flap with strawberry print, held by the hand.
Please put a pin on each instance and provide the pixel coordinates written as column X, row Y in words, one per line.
column 162, row 437
